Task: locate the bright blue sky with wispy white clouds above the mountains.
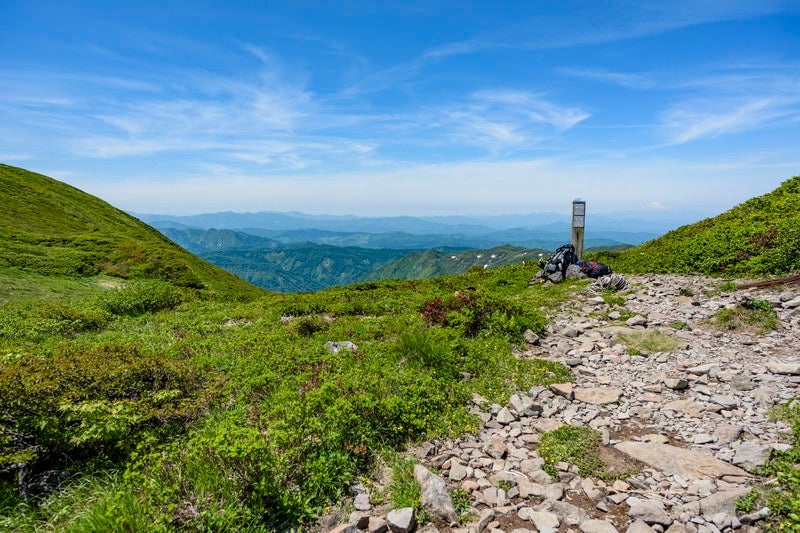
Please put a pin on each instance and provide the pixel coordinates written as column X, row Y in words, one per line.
column 400, row 107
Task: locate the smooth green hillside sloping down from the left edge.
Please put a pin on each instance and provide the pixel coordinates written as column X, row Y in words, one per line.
column 54, row 230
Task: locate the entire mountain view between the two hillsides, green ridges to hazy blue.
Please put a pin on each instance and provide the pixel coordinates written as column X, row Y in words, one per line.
column 293, row 251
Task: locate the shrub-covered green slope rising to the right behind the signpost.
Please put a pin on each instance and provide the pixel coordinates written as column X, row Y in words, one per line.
column 756, row 238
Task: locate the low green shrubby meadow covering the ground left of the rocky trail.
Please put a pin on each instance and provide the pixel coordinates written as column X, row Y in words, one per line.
column 172, row 410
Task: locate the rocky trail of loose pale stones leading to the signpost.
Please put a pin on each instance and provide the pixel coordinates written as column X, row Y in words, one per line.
column 690, row 424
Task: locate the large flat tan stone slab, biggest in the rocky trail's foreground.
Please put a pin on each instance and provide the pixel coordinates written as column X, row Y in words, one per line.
column 671, row 460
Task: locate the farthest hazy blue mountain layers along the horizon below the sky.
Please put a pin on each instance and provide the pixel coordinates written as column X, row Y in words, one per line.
column 538, row 230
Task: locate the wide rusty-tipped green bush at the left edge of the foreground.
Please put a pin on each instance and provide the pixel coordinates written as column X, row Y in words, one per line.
column 89, row 402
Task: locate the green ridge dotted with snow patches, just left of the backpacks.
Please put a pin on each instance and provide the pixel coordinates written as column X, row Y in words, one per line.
column 432, row 263
